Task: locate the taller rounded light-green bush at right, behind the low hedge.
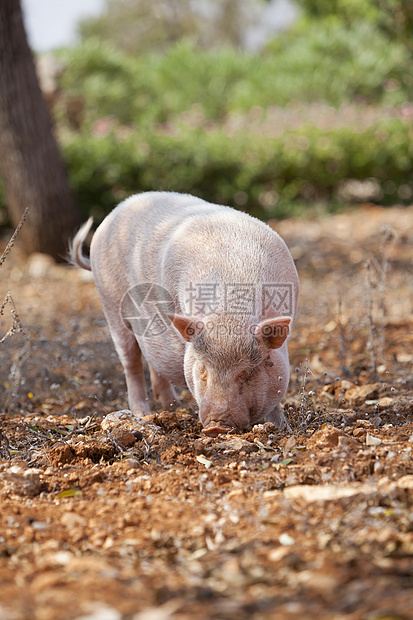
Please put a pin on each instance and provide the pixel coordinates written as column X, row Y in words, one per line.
column 327, row 61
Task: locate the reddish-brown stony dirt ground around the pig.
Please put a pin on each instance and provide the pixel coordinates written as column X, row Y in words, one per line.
column 105, row 519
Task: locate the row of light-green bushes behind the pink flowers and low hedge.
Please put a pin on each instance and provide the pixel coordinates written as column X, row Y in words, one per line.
column 313, row 62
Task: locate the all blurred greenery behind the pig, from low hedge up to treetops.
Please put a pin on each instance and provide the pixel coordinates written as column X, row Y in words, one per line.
column 165, row 95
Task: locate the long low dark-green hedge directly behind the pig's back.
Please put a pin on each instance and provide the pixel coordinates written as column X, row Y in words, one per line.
column 265, row 177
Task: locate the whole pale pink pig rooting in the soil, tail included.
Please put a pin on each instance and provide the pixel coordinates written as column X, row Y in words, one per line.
column 207, row 294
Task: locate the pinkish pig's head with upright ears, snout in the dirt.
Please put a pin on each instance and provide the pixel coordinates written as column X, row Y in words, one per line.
column 238, row 374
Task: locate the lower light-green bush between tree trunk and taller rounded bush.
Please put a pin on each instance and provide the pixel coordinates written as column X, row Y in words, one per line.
column 151, row 88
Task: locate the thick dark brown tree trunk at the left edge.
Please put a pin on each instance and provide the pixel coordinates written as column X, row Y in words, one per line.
column 31, row 166
